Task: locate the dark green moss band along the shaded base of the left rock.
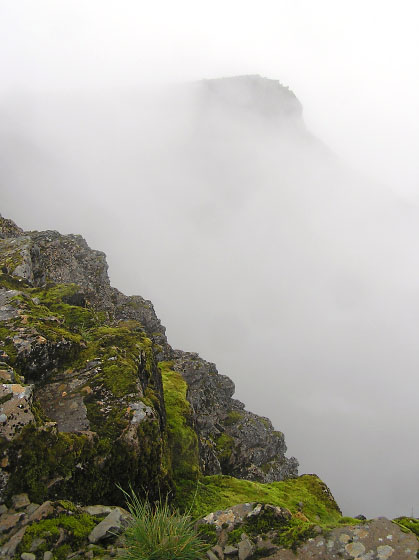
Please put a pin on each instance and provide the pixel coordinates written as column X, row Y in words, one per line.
column 84, row 469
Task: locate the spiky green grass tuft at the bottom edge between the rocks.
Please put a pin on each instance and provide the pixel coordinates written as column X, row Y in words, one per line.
column 158, row 533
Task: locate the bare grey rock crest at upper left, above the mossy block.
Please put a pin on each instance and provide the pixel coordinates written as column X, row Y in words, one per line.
column 47, row 257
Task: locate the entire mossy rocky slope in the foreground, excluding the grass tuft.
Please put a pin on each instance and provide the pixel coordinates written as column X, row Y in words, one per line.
column 93, row 397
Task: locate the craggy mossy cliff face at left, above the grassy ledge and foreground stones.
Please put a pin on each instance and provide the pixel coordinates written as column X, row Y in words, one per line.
column 82, row 401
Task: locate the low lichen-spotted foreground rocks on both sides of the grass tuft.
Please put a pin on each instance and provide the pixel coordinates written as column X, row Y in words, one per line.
column 248, row 531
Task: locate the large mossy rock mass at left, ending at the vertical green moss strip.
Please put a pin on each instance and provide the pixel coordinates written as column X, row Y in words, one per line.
column 81, row 394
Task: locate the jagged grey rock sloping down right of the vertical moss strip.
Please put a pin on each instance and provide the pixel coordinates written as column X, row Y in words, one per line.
column 231, row 440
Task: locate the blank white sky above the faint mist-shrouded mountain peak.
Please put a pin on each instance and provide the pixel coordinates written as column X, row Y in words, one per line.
column 354, row 65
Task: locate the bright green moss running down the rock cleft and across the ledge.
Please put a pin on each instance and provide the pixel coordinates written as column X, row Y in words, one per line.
column 212, row 493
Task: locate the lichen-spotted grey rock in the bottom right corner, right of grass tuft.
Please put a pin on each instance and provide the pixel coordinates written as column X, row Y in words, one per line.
column 253, row 530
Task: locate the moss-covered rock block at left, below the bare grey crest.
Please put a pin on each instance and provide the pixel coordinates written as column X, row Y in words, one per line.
column 98, row 416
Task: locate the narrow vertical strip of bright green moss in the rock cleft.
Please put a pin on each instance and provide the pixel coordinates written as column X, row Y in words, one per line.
column 183, row 441
